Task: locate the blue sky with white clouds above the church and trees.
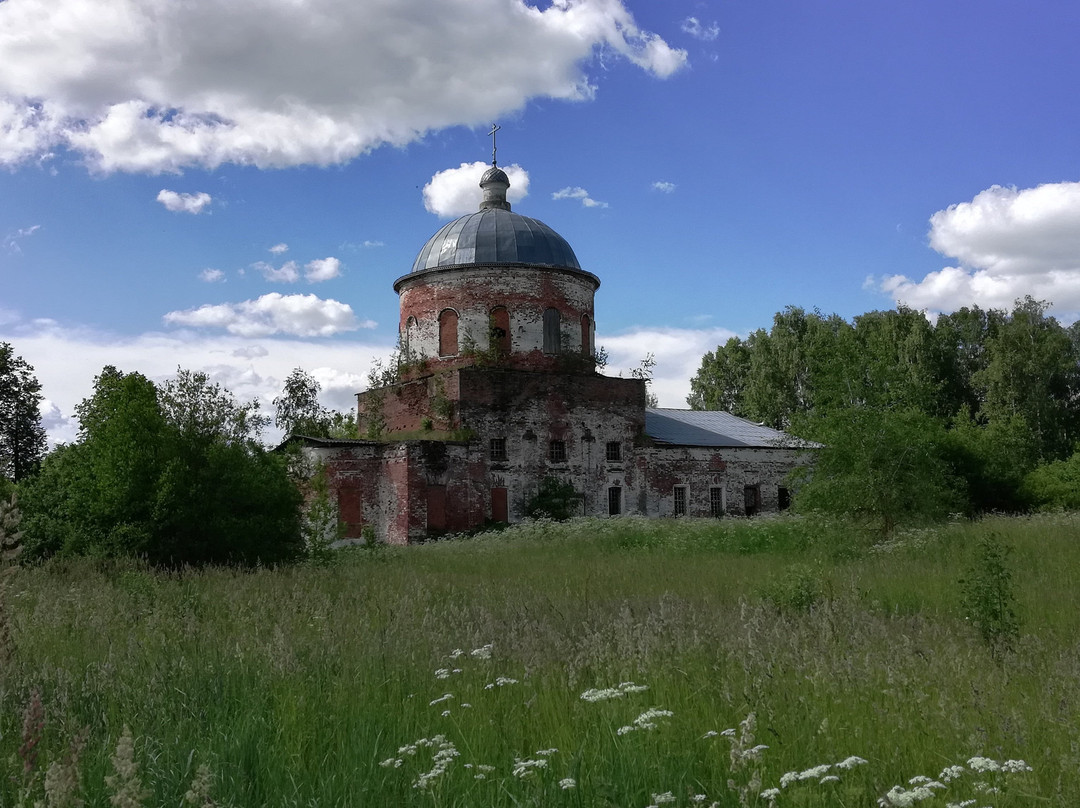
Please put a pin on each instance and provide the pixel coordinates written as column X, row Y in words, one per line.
column 235, row 187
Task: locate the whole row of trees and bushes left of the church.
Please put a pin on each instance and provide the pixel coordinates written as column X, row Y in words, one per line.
column 173, row 473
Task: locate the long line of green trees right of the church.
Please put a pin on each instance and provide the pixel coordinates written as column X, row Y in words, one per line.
column 976, row 412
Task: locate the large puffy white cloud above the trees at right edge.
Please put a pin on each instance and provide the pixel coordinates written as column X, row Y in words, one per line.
column 1009, row 244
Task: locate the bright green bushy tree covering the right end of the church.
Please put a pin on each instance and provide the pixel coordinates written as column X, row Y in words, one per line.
column 881, row 466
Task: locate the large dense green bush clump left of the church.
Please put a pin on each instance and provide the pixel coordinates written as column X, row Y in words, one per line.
column 175, row 476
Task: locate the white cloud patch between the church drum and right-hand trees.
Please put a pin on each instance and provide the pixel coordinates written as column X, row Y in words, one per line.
column 678, row 352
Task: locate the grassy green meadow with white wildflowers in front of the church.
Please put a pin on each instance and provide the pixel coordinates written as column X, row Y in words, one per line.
column 600, row 663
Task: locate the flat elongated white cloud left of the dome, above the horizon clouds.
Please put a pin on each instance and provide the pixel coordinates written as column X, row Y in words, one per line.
column 302, row 316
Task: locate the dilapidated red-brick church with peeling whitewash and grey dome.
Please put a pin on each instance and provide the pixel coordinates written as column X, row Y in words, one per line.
column 496, row 389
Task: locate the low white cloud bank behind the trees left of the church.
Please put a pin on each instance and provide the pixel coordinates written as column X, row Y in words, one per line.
column 67, row 360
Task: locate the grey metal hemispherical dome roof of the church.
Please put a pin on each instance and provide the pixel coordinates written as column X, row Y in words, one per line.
column 496, row 236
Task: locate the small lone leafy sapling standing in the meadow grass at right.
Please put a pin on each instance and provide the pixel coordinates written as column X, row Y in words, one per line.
column 989, row 595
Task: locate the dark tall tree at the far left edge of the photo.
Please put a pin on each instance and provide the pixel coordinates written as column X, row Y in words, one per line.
column 22, row 437
